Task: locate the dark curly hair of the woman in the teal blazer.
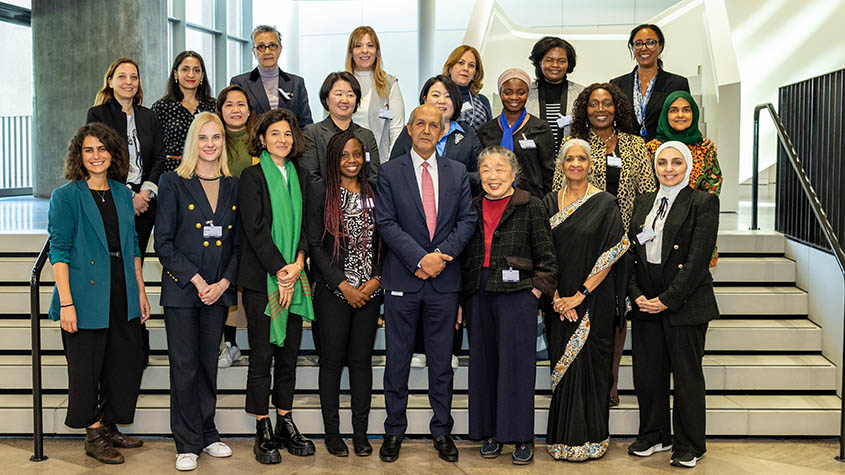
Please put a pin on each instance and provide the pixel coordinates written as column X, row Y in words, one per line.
column 75, row 168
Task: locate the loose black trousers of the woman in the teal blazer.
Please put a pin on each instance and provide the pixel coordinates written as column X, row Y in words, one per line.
column 104, row 369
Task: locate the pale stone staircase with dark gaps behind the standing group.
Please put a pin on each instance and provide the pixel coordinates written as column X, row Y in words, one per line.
column 763, row 365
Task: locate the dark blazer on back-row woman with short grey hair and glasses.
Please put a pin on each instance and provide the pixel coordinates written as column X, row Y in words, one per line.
column 290, row 83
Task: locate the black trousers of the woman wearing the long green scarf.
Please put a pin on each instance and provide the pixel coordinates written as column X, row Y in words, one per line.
column 263, row 355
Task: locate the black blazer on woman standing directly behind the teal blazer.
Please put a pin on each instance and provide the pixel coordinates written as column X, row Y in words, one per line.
column 149, row 134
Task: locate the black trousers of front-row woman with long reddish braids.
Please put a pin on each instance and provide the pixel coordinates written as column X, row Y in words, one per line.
column 348, row 335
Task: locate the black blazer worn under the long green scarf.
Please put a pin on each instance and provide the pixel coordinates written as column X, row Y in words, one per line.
column 259, row 255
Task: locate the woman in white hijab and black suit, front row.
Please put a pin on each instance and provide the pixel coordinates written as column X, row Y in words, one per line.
column 673, row 234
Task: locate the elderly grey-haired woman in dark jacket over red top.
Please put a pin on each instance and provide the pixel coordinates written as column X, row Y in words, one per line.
column 507, row 265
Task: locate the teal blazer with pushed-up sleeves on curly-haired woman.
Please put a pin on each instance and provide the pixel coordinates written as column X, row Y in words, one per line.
column 78, row 238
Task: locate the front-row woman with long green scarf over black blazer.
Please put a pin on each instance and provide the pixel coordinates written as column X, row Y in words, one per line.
column 276, row 294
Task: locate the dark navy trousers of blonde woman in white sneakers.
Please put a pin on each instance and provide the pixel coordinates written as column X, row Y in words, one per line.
column 193, row 337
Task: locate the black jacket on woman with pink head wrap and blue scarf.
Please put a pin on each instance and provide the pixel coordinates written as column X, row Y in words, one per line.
column 538, row 163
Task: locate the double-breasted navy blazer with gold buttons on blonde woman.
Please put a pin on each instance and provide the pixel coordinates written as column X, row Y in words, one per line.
column 183, row 210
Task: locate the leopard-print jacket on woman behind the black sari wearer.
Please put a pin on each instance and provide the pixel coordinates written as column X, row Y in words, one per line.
column 636, row 176
